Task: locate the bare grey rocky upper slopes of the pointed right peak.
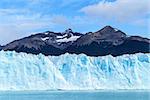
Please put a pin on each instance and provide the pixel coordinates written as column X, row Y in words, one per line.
column 107, row 34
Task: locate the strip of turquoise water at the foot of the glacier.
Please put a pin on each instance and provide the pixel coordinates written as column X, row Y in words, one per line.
column 76, row 95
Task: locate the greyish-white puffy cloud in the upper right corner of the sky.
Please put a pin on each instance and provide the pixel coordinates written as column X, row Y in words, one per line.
column 119, row 10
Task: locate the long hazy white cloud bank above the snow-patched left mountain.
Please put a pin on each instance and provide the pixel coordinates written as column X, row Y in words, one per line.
column 14, row 25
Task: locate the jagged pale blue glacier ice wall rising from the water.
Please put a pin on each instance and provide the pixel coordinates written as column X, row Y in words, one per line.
column 21, row 71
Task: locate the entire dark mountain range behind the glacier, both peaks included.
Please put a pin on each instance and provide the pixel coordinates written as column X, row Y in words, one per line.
column 106, row 41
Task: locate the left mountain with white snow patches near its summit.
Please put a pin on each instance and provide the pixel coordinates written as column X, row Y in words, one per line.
column 48, row 43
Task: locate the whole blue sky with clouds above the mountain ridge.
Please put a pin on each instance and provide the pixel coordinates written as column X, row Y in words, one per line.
column 20, row 18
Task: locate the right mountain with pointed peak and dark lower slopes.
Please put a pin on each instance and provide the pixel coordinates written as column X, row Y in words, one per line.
column 109, row 41
